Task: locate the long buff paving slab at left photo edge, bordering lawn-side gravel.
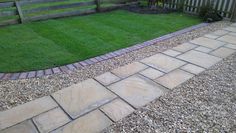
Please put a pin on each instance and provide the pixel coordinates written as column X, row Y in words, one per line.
column 25, row 111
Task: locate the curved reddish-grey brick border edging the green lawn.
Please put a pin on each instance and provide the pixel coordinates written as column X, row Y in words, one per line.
column 70, row 67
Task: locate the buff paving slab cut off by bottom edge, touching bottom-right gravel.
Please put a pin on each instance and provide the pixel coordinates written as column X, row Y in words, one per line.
column 93, row 122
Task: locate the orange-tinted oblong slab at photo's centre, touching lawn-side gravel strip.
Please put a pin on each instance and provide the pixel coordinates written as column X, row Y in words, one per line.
column 129, row 69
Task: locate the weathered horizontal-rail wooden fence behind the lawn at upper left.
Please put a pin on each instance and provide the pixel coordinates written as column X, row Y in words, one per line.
column 13, row 12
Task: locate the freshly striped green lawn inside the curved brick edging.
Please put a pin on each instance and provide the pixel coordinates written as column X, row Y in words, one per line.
column 44, row 44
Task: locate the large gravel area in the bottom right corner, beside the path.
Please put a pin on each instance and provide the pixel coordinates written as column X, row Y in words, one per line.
column 205, row 103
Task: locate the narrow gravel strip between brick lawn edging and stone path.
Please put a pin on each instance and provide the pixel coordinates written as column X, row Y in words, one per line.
column 16, row 92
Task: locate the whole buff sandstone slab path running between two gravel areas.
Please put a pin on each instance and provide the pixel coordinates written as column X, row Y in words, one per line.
column 94, row 104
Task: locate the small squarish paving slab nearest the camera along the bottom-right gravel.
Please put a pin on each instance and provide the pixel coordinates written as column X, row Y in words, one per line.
column 117, row 109
